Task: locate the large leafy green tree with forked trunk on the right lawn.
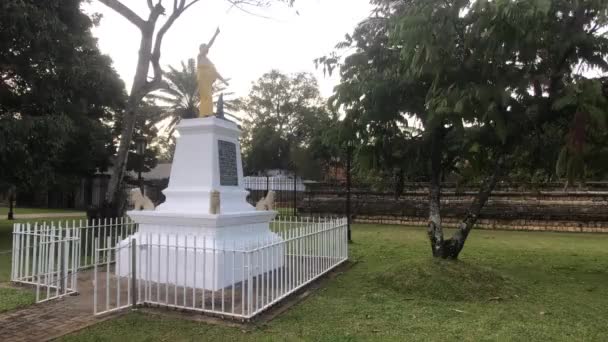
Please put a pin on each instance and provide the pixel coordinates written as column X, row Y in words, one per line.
column 485, row 79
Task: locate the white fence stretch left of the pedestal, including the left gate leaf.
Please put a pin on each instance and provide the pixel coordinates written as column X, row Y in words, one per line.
column 49, row 255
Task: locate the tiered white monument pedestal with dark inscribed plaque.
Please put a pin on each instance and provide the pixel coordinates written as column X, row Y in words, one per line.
column 184, row 244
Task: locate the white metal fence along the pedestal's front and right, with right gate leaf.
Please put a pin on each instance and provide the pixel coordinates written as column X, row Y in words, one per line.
column 228, row 279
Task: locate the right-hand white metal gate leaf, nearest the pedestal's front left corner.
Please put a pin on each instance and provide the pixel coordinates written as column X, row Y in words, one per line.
column 114, row 290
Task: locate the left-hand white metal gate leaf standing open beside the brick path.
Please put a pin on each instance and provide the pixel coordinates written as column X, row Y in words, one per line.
column 48, row 257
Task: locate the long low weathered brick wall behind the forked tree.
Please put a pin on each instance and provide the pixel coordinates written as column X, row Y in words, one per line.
column 534, row 211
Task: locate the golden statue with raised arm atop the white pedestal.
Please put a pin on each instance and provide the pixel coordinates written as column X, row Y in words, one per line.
column 206, row 76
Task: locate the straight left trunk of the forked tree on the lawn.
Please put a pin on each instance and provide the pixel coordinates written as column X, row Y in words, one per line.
column 434, row 229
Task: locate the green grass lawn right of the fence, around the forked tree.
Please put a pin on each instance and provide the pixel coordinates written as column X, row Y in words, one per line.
column 509, row 286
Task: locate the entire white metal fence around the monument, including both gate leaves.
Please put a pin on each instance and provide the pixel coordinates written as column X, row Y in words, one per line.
column 232, row 279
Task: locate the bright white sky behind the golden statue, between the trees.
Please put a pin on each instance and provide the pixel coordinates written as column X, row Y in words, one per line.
column 248, row 45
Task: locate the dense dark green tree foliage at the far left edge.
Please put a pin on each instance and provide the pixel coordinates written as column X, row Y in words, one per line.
column 58, row 94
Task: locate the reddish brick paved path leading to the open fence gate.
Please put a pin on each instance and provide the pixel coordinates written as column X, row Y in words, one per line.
column 52, row 319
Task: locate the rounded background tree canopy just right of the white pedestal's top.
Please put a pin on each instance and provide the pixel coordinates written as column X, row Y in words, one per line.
column 285, row 124
